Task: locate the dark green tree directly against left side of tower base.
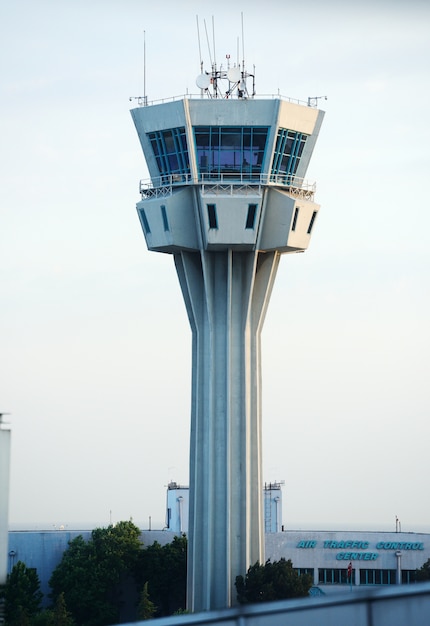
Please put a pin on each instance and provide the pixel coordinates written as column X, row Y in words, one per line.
column 165, row 567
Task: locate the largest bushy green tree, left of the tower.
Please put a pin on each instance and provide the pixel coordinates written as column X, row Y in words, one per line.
column 90, row 573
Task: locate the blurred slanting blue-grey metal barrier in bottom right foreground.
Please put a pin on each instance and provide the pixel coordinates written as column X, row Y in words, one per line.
column 396, row 606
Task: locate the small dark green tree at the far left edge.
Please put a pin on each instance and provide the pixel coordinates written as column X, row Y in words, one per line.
column 22, row 595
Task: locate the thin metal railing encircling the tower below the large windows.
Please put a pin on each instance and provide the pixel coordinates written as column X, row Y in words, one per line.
column 227, row 184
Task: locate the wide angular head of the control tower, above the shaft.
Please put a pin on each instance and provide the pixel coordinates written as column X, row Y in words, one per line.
column 227, row 174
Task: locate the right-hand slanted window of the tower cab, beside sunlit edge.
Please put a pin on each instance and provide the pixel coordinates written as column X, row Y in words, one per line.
column 287, row 155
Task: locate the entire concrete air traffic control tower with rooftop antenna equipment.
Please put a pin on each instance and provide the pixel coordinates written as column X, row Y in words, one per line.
column 227, row 197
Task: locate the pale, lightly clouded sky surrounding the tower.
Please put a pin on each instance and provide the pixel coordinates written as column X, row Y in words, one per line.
column 94, row 338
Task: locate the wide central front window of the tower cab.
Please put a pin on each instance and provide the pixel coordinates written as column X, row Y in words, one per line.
column 230, row 151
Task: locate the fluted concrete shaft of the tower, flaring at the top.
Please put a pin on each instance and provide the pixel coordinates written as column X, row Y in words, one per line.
column 226, row 295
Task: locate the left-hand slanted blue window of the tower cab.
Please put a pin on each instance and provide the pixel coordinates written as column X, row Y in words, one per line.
column 171, row 153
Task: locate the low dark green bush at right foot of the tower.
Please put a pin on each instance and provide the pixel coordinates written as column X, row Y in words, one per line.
column 272, row 581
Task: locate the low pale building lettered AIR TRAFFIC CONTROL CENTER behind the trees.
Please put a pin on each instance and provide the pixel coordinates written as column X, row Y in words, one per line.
column 377, row 558
